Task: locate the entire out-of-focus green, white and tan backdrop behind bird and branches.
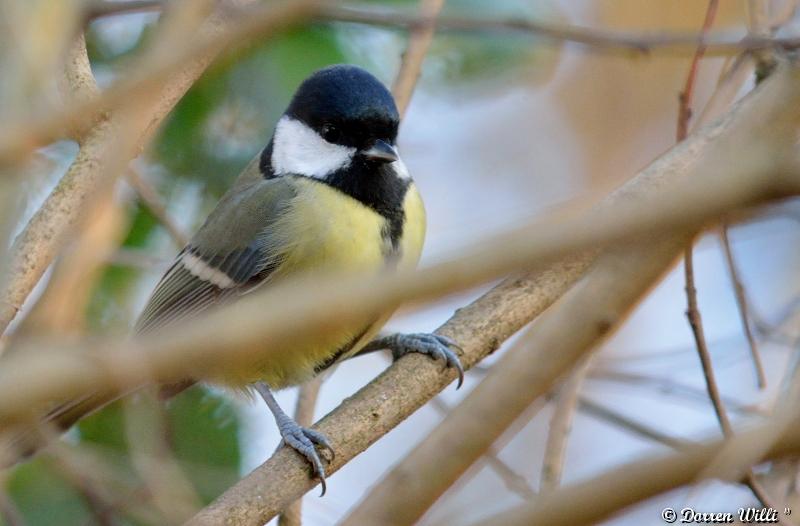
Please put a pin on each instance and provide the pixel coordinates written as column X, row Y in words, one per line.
column 501, row 128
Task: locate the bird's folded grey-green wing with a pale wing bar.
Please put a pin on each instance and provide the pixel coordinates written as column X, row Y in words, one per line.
column 232, row 252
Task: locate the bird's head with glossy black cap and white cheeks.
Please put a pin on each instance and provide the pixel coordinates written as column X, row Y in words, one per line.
column 340, row 116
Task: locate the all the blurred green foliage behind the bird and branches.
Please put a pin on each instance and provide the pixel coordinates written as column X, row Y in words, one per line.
column 221, row 123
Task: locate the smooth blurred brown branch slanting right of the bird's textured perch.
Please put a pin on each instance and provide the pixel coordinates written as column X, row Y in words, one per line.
column 601, row 301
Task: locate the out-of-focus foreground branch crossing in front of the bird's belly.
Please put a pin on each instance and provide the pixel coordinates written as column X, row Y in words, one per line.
column 537, row 242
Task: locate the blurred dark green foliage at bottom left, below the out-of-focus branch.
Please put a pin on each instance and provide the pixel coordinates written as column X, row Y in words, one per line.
column 202, row 431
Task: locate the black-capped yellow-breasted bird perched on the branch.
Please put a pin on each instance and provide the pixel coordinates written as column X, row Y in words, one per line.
column 329, row 193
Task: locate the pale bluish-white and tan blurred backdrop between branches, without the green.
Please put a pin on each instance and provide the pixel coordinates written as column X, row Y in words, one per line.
column 487, row 158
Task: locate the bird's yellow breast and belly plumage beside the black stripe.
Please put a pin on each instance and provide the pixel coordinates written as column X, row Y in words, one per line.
column 326, row 232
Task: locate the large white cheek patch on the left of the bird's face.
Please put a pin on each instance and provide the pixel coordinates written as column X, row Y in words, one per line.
column 298, row 149
